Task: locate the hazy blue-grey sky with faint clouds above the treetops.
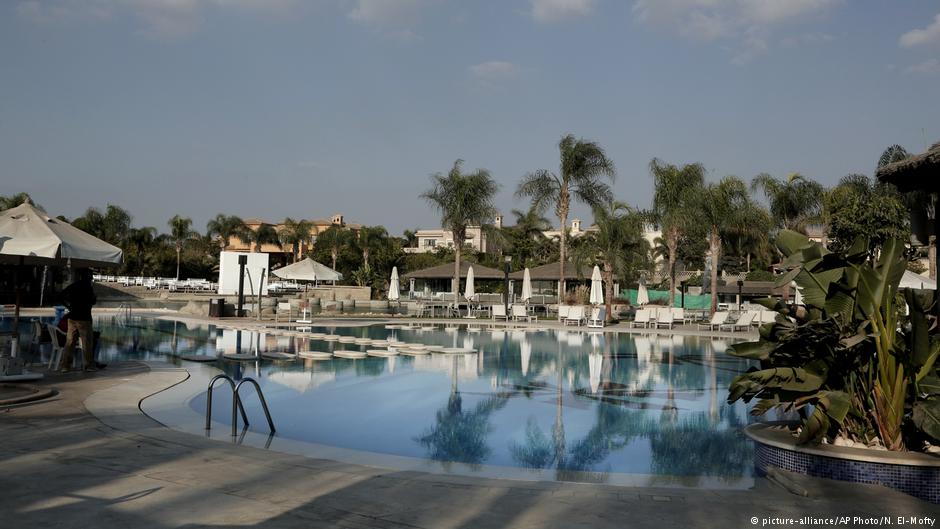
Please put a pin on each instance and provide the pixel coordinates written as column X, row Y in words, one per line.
column 307, row 108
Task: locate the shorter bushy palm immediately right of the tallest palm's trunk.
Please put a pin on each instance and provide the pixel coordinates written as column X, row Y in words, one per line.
column 618, row 245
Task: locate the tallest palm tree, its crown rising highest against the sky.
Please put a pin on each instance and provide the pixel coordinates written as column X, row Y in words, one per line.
column 582, row 165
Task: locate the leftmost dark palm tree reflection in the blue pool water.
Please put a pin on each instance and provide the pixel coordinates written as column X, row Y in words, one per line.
column 458, row 435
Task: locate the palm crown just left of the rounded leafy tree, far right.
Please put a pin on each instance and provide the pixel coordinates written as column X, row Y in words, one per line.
column 795, row 202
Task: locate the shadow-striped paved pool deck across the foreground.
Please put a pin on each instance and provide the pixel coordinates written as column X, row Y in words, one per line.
column 62, row 466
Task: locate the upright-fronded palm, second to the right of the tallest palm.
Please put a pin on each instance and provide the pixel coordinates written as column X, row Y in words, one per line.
column 674, row 198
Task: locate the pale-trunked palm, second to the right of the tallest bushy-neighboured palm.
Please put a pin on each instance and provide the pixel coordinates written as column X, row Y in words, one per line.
column 721, row 207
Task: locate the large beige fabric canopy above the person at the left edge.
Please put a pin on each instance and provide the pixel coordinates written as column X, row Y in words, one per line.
column 29, row 236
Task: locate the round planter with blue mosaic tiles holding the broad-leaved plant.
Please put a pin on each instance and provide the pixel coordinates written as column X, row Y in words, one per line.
column 916, row 474
